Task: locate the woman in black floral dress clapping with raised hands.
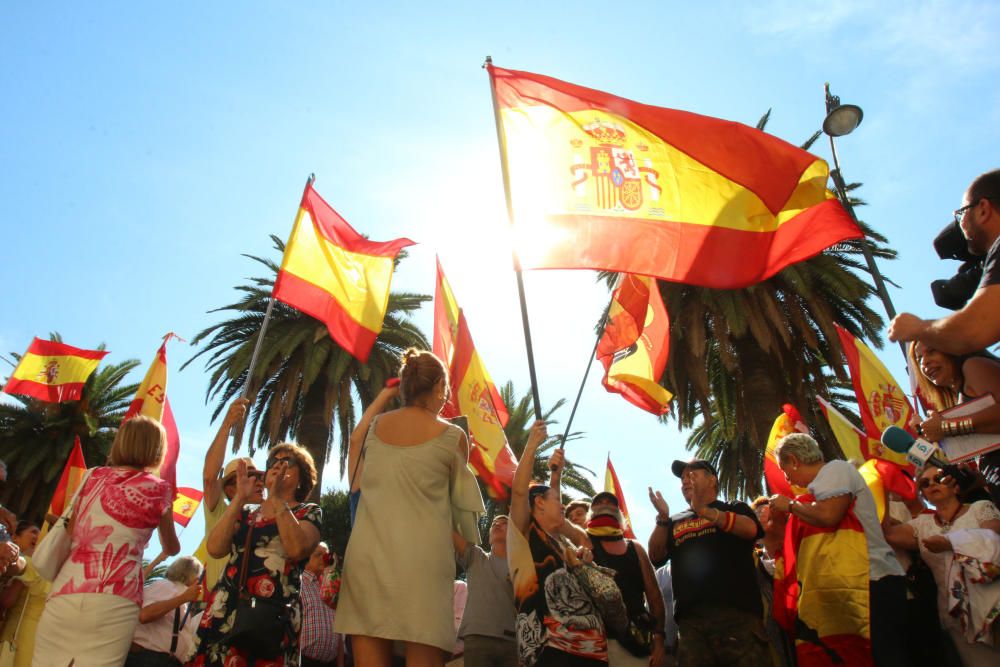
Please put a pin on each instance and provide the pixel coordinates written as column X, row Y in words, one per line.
column 254, row 614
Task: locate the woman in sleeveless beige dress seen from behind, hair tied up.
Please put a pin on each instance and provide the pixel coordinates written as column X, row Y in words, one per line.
column 415, row 487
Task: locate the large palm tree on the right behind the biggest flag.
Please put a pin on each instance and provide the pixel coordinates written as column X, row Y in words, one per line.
column 737, row 355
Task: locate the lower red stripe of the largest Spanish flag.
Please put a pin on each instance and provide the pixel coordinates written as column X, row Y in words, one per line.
column 708, row 255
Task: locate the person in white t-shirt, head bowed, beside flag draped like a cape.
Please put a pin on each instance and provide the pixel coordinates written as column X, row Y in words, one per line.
column 837, row 488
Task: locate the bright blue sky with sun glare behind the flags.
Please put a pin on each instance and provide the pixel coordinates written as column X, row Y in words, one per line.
column 144, row 149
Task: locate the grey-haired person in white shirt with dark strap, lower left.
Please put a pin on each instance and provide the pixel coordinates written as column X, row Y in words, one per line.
column 165, row 613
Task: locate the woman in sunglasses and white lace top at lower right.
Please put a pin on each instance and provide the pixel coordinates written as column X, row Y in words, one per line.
column 930, row 533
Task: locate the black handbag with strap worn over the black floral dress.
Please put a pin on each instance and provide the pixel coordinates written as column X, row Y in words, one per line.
column 259, row 626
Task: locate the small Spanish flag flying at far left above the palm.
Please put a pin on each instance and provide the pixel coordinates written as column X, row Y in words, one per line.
column 53, row 372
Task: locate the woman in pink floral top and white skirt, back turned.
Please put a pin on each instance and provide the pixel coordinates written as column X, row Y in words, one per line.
column 94, row 605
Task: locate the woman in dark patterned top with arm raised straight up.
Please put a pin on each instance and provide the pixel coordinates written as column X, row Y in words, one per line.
column 557, row 624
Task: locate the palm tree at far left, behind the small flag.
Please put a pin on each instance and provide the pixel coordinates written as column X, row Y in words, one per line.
column 36, row 437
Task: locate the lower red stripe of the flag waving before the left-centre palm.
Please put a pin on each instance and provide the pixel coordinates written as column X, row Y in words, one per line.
column 314, row 301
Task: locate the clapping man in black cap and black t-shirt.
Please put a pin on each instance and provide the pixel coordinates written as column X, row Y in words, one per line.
column 710, row 545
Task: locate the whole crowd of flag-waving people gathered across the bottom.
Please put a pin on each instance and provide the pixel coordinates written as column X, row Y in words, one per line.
column 819, row 578
